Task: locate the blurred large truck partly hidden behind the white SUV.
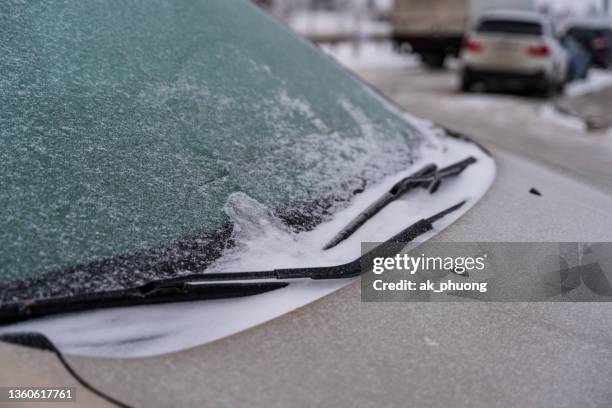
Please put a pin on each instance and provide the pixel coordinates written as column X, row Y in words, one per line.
column 435, row 29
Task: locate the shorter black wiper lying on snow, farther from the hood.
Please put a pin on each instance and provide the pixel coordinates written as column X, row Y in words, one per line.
column 428, row 177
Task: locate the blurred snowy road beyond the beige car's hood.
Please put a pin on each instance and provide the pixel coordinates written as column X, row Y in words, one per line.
column 522, row 125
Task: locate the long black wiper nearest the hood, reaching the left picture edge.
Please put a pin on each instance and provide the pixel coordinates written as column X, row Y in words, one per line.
column 208, row 286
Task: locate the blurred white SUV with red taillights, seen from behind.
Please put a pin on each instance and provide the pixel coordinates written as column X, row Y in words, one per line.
column 514, row 49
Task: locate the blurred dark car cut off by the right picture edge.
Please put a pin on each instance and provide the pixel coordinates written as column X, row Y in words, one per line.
column 595, row 35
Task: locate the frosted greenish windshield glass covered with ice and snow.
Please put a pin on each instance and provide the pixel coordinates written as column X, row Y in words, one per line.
column 127, row 130
